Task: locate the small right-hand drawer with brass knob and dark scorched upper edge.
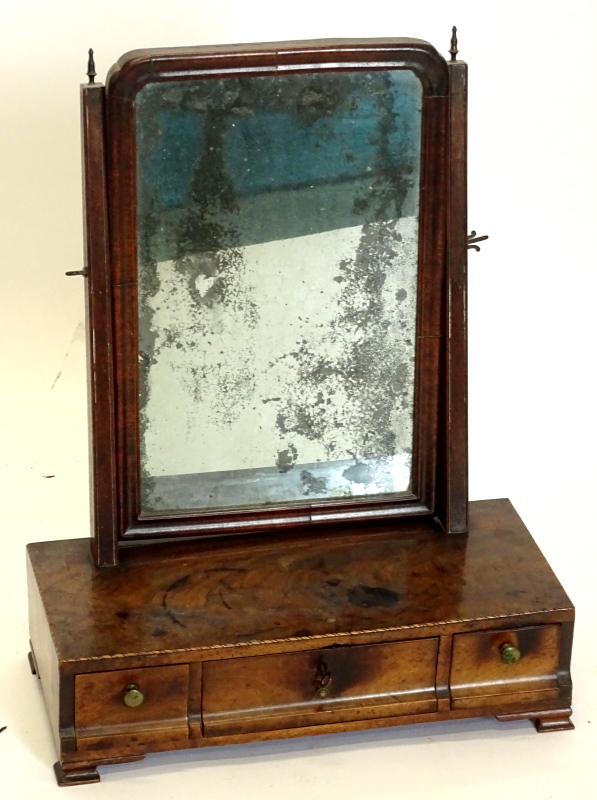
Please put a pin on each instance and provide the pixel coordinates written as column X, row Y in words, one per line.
column 482, row 674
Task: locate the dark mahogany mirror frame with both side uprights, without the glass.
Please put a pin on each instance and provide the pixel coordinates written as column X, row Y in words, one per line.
column 439, row 485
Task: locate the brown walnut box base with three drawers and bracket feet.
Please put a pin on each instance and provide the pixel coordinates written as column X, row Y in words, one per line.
column 230, row 638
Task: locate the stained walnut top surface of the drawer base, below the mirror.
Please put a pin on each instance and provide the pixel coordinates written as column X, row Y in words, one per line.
column 207, row 595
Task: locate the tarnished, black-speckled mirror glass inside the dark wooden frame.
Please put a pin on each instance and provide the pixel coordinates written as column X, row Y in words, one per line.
column 277, row 264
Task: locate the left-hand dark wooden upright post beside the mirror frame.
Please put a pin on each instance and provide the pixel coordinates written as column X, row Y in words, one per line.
column 100, row 369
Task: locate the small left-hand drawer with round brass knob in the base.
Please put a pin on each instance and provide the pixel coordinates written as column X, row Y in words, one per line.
column 105, row 705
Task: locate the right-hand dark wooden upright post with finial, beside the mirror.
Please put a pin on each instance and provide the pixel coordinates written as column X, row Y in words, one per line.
column 454, row 513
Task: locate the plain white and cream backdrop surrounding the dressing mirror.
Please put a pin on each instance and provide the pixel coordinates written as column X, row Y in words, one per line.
column 532, row 173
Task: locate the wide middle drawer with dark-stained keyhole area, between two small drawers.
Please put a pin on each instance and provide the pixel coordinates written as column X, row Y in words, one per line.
column 336, row 684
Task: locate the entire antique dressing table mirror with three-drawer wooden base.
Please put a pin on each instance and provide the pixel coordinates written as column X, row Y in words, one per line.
column 282, row 542
